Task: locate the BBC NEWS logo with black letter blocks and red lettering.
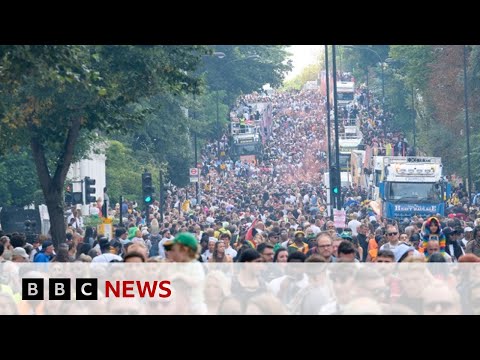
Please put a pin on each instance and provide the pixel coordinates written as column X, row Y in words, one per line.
column 87, row 289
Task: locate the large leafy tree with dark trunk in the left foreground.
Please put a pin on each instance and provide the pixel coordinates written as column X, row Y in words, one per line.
column 52, row 95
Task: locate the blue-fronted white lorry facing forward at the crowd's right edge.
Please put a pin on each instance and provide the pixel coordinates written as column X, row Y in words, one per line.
column 408, row 186
